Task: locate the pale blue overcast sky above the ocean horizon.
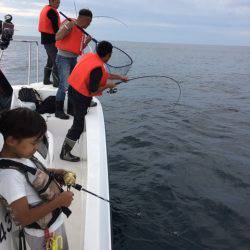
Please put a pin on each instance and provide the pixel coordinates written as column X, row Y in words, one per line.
column 172, row 21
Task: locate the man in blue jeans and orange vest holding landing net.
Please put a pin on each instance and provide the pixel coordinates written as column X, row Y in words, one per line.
column 70, row 42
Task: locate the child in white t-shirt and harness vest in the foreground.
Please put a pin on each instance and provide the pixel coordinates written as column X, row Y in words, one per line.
column 39, row 214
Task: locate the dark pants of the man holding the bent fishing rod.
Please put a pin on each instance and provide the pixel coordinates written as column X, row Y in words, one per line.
column 80, row 104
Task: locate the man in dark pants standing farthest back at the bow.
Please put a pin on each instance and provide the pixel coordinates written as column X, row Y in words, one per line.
column 49, row 23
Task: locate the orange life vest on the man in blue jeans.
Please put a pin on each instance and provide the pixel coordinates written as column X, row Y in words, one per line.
column 73, row 42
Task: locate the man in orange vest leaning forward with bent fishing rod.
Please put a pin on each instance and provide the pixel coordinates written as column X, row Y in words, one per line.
column 88, row 79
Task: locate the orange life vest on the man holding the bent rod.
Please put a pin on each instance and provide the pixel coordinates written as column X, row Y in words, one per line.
column 80, row 76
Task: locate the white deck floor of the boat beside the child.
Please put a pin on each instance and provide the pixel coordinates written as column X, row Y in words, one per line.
column 75, row 223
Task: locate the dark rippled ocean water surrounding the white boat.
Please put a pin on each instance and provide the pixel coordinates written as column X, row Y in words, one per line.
column 179, row 172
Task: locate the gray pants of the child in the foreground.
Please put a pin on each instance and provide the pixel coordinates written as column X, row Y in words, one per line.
column 38, row 243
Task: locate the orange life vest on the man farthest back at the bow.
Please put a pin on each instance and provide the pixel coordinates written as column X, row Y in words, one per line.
column 45, row 24
